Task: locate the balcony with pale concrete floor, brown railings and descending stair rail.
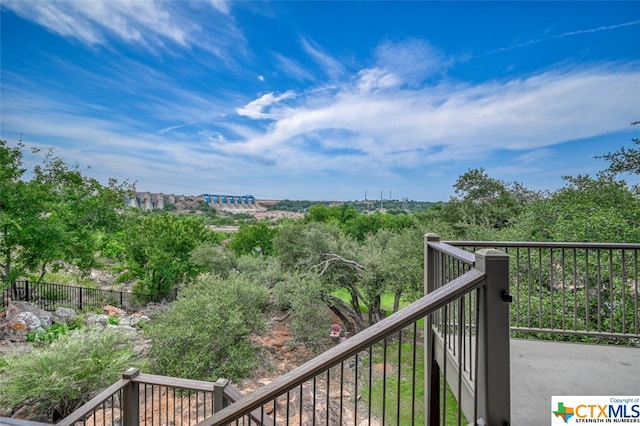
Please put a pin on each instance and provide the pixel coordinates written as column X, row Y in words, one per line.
column 502, row 328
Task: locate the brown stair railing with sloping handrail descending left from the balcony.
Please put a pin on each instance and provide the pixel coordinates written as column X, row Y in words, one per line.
column 444, row 359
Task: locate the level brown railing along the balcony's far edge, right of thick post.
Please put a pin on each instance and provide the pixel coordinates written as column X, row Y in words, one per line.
column 578, row 291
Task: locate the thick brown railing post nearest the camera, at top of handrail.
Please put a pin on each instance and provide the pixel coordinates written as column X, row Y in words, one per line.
column 494, row 373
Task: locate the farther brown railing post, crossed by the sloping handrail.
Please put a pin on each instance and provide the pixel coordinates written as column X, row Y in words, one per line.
column 432, row 370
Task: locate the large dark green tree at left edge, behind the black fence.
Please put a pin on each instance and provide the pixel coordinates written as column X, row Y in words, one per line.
column 53, row 217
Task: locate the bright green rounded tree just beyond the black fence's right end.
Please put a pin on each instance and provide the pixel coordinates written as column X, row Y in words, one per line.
column 157, row 251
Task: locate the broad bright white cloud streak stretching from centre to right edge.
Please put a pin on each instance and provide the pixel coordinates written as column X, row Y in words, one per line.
column 442, row 122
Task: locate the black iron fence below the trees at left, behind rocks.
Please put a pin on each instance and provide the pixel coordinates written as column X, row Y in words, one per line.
column 50, row 296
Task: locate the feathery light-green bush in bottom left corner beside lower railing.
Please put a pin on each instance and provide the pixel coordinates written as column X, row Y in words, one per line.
column 61, row 377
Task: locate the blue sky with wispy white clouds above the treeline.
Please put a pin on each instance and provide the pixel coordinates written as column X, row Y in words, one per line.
column 321, row 100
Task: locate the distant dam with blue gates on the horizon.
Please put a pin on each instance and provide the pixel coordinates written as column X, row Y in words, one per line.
column 158, row 201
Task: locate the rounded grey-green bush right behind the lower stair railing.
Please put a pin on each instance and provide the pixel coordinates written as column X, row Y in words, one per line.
column 205, row 334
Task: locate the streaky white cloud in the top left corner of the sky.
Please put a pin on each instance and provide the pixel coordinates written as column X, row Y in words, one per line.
column 153, row 25
